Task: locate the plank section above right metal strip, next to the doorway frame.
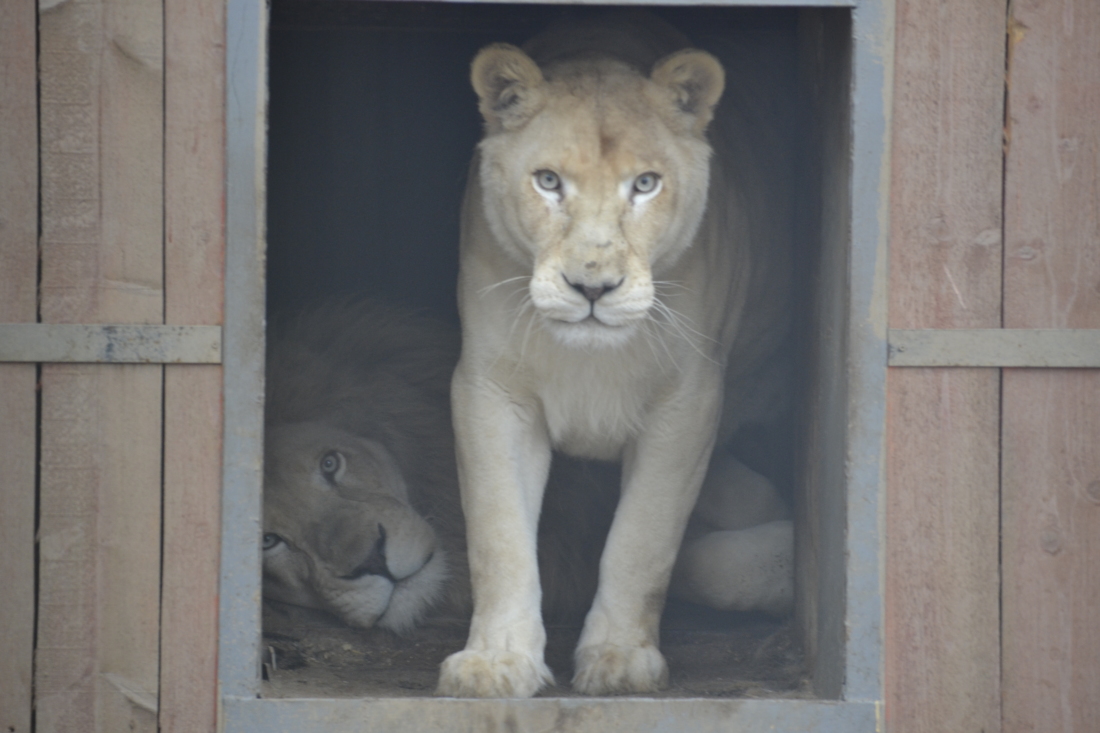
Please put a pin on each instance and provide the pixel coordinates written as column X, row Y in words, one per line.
column 945, row 245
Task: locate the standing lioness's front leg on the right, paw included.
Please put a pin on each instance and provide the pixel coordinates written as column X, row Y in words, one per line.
column 663, row 474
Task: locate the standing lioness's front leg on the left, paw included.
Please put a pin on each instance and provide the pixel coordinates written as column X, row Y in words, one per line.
column 504, row 458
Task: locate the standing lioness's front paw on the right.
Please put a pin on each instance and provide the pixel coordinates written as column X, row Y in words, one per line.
column 610, row 670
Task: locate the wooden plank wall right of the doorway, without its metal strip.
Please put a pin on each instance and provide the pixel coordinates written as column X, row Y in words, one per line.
column 994, row 480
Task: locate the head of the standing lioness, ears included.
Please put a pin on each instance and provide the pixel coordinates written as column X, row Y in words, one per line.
column 595, row 181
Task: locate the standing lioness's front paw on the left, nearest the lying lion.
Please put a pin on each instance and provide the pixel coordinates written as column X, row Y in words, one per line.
column 492, row 675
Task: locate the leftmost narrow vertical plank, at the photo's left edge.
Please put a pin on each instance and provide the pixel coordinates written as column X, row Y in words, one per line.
column 19, row 262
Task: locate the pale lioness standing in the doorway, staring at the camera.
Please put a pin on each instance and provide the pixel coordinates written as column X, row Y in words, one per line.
column 618, row 287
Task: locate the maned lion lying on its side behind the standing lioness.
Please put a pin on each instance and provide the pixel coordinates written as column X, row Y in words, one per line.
column 362, row 517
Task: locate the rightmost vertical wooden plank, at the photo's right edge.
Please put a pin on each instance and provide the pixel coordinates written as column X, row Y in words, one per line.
column 1052, row 419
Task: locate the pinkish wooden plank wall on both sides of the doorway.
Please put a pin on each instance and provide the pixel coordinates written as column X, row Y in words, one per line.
column 112, row 129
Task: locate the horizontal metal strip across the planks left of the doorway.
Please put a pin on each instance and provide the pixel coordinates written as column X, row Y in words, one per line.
column 129, row 344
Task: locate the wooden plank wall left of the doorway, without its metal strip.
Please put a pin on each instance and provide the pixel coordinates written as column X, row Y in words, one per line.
column 127, row 100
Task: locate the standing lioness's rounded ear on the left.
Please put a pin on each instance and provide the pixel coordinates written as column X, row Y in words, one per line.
column 509, row 86
